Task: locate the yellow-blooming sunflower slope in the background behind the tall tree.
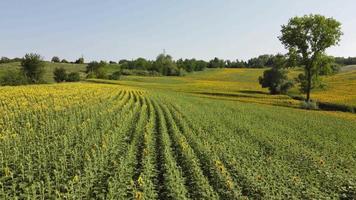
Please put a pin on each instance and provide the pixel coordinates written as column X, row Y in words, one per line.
column 242, row 85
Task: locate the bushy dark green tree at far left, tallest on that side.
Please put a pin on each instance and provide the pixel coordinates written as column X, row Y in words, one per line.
column 33, row 67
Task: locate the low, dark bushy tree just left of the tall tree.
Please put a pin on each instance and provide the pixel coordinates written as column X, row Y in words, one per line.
column 276, row 79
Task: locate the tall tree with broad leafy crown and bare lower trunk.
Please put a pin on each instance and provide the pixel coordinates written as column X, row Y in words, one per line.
column 308, row 37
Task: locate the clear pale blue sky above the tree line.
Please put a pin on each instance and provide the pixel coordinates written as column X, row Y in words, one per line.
column 114, row 29
